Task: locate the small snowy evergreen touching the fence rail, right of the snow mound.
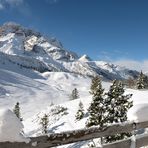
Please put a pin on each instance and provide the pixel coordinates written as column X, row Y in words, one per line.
column 44, row 123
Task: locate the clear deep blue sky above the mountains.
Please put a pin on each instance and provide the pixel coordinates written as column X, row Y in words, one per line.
column 112, row 30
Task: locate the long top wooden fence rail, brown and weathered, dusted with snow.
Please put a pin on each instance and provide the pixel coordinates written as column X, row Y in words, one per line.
column 87, row 134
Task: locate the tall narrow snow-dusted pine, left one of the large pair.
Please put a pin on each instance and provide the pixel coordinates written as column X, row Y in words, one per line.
column 97, row 109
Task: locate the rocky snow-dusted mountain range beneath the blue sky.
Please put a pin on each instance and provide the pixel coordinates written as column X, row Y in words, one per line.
column 29, row 49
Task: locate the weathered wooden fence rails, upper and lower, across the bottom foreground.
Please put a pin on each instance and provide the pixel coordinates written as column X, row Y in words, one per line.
column 62, row 138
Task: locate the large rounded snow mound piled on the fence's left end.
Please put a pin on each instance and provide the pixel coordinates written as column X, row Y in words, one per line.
column 11, row 127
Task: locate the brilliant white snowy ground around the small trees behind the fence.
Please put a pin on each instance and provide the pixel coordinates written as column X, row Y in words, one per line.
column 67, row 120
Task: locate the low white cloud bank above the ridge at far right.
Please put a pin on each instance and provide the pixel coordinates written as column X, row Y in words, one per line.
column 133, row 64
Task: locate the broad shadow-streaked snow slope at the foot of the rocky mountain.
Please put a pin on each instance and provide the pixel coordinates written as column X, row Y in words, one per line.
column 30, row 87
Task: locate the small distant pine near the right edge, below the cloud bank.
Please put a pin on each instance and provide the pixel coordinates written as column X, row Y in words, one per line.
column 140, row 81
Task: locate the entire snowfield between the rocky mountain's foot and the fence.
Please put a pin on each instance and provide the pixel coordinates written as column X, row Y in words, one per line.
column 36, row 91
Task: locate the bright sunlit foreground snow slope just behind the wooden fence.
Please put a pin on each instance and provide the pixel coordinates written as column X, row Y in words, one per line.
column 62, row 116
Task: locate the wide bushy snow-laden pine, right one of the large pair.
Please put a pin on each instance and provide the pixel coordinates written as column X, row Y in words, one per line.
column 117, row 105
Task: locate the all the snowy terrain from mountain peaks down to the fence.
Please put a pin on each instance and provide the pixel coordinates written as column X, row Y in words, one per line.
column 36, row 91
